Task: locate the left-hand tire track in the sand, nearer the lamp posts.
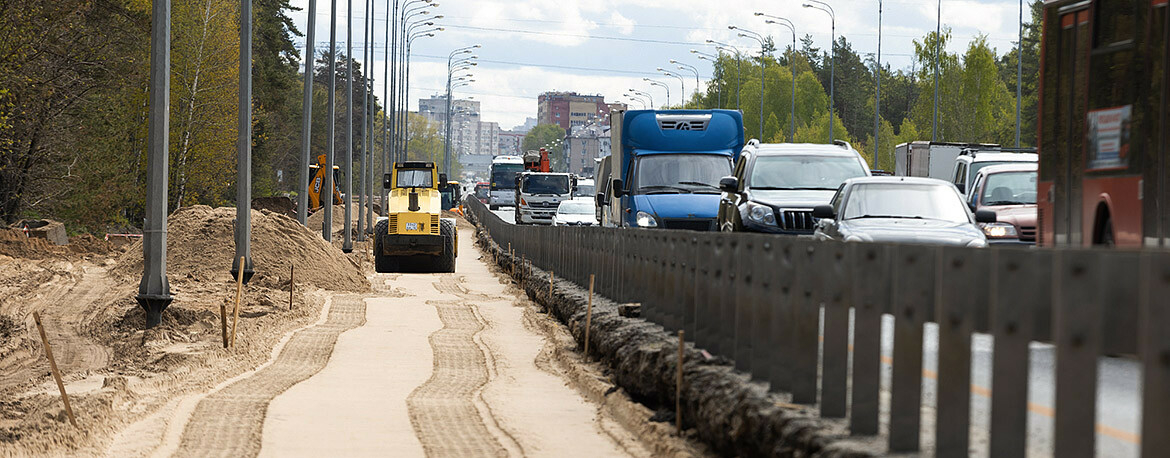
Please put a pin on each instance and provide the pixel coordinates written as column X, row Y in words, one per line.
column 230, row 422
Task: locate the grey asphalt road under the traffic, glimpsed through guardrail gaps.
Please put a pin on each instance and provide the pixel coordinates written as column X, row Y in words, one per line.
column 1119, row 393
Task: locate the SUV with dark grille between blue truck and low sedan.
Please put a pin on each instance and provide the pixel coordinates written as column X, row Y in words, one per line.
column 775, row 187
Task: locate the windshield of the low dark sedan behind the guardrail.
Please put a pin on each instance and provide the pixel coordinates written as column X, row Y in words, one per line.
column 906, row 201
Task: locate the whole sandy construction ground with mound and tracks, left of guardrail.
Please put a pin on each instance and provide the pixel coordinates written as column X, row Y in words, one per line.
column 326, row 351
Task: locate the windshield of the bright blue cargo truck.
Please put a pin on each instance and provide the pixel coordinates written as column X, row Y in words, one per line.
column 682, row 174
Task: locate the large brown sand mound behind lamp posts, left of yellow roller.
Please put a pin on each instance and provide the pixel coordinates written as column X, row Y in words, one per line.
column 201, row 247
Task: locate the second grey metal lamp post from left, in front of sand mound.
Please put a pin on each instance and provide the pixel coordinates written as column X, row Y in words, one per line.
column 244, row 148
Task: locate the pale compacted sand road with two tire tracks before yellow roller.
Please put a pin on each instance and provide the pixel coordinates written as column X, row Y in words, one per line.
column 430, row 365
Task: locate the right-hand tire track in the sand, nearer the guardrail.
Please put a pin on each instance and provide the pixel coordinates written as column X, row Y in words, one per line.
column 446, row 412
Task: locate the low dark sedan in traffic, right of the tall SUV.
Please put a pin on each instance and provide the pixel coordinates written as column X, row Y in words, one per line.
column 901, row 210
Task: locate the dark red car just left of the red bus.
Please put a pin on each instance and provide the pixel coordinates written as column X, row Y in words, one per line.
column 1010, row 192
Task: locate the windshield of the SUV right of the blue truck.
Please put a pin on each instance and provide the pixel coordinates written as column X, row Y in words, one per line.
column 804, row 173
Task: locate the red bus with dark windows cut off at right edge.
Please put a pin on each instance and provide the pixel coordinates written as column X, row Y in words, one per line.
column 1104, row 124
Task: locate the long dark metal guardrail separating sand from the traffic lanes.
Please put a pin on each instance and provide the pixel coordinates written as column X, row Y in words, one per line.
column 781, row 309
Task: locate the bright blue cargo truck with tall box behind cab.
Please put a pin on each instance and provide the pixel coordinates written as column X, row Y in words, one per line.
column 666, row 167
